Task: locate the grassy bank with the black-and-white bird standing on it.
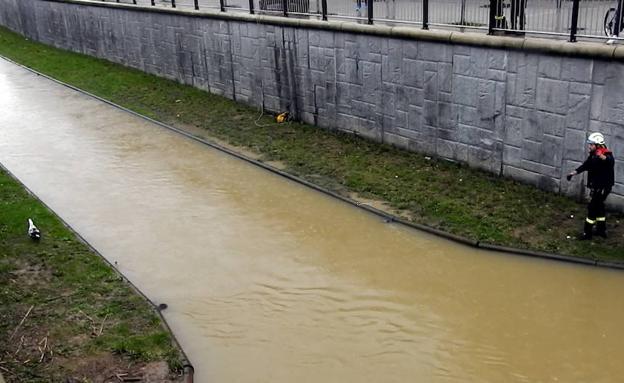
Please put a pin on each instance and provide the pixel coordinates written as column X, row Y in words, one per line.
column 65, row 315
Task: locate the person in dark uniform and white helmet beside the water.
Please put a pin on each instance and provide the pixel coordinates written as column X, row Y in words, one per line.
column 600, row 179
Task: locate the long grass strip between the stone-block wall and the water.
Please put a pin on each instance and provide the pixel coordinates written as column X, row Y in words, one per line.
column 437, row 193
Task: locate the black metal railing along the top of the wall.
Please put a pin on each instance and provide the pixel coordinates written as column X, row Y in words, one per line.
column 570, row 19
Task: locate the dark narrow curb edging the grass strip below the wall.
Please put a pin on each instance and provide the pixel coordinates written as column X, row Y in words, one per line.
column 389, row 218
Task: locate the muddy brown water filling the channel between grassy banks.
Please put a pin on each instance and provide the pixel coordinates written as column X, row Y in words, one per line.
column 268, row 281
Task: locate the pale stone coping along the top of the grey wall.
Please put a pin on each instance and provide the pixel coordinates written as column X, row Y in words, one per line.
column 525, row 44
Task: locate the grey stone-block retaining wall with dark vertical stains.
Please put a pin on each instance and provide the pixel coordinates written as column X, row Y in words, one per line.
column 519, row 113
